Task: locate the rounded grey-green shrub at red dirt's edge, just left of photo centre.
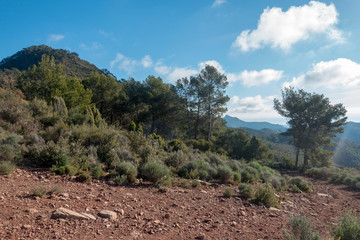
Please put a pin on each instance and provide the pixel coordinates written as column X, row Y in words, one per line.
column 154, row 171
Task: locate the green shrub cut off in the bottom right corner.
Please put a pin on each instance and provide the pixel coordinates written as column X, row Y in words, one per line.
column 348, row 227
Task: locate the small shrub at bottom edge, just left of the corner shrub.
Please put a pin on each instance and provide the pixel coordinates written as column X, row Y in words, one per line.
column 301, row 228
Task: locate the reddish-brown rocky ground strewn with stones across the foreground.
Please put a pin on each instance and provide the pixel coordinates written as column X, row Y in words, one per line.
column 142, row 212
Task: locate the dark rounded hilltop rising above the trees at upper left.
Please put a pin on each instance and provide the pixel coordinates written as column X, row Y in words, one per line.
column 27, row 57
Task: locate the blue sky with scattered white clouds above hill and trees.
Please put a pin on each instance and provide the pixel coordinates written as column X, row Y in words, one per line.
column 260, row 45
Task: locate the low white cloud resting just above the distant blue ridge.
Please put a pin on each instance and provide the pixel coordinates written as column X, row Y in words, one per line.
column 252, row 108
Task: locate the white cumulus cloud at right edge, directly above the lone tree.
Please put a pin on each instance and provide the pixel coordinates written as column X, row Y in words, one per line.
column 339, row 73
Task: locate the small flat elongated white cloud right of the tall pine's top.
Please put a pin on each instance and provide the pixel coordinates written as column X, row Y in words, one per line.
column 256, row 78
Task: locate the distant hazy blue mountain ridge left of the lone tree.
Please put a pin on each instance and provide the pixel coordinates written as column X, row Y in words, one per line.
column 234, row 122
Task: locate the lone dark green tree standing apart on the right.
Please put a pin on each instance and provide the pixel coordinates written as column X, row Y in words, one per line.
column 313, row 123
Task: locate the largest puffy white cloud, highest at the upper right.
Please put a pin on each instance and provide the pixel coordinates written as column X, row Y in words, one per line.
column 283, row 29
